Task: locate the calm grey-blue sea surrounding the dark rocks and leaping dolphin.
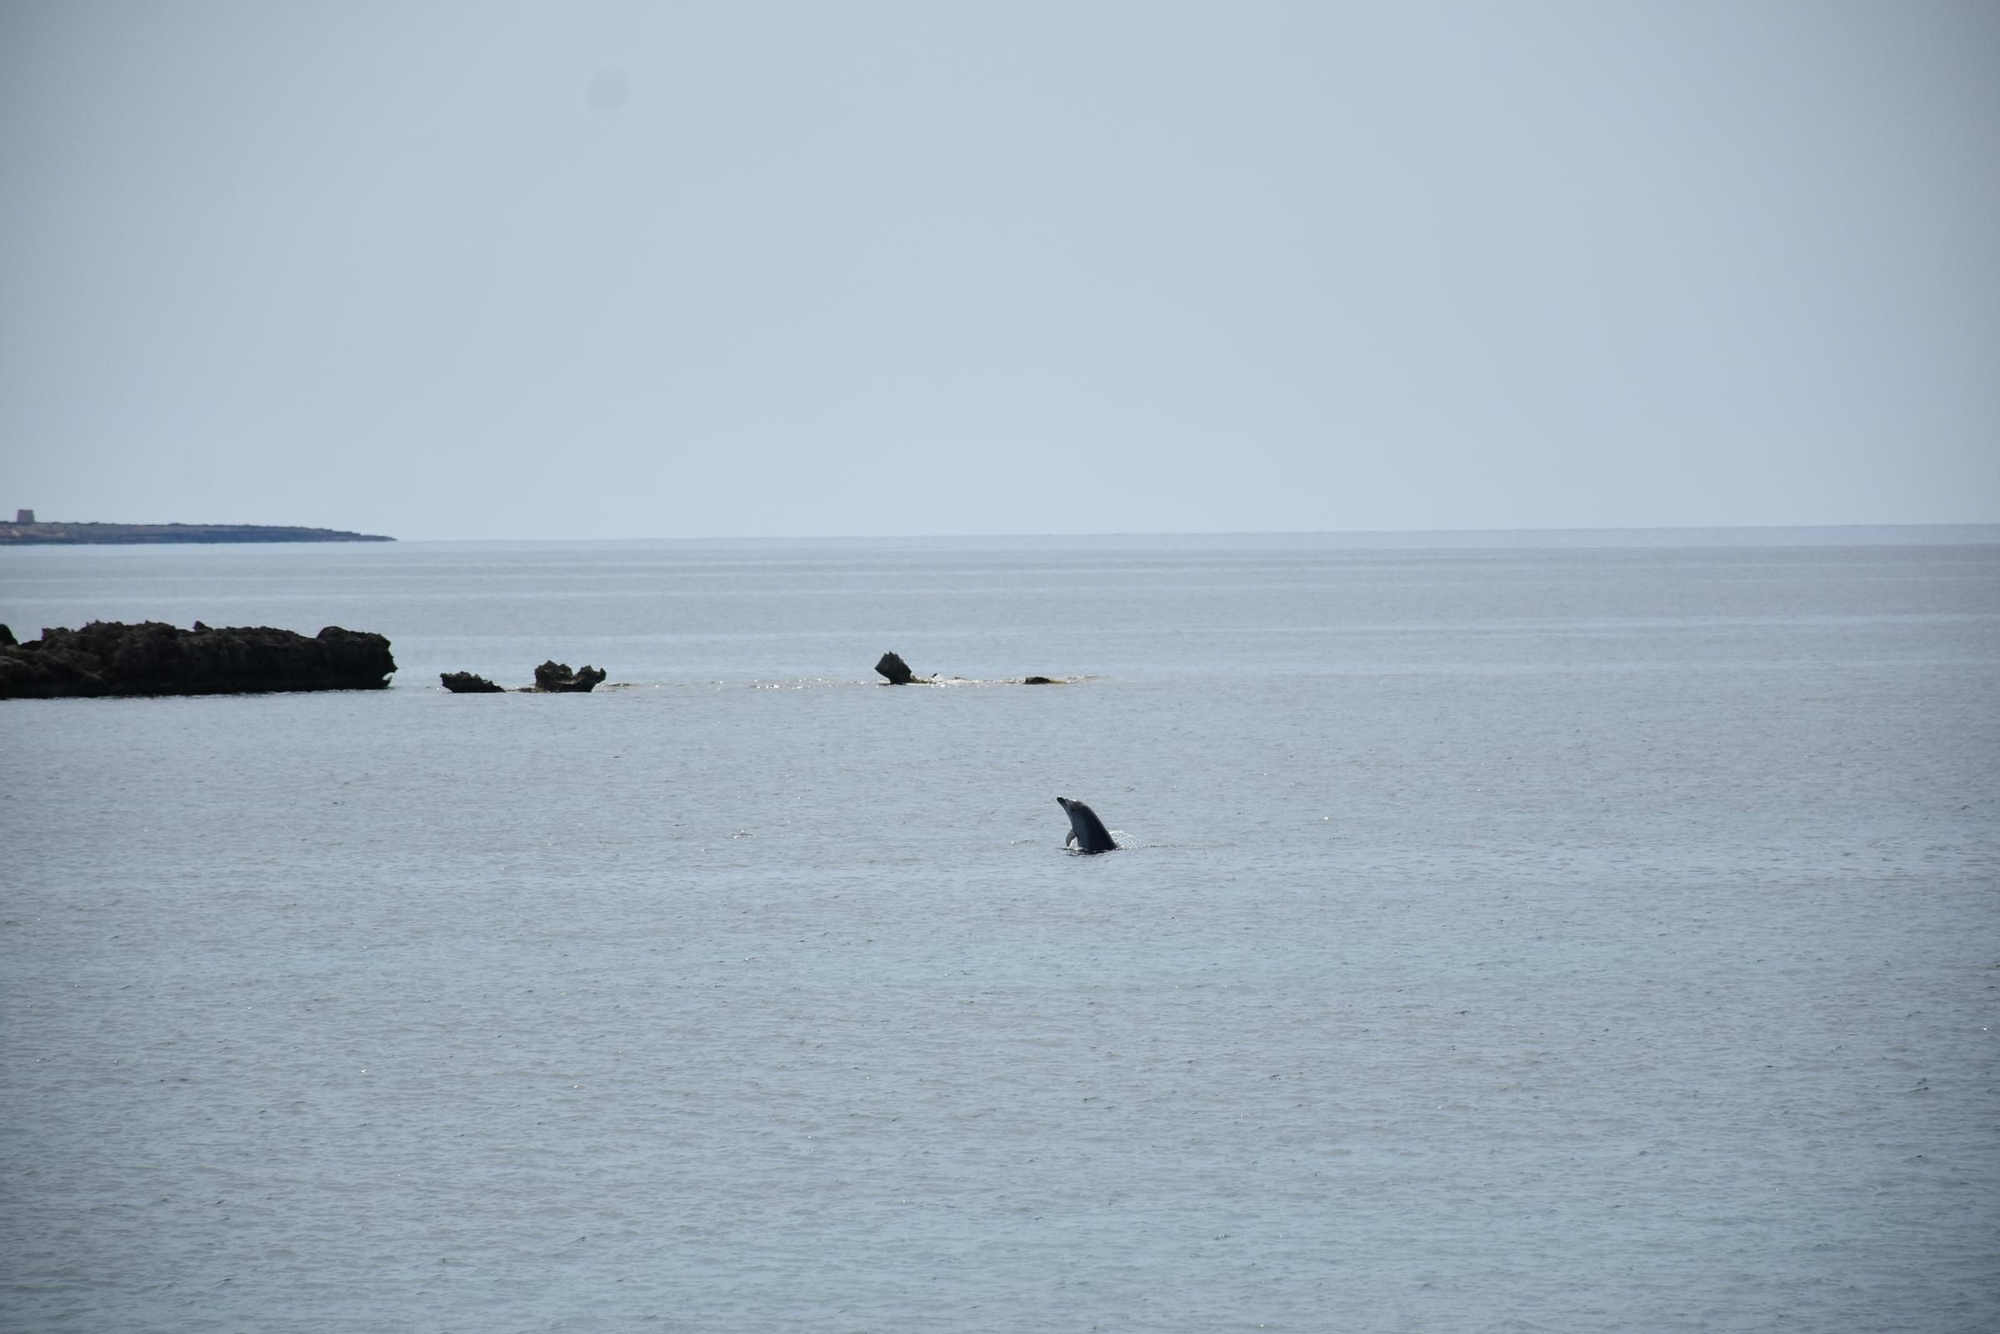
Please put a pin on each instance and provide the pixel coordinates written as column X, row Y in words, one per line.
column 1545, row 931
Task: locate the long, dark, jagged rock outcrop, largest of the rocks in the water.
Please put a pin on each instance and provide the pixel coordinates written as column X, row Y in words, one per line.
column 157, row 659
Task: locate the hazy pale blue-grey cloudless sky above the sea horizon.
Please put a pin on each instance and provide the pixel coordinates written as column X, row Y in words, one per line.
column 493, row 271
